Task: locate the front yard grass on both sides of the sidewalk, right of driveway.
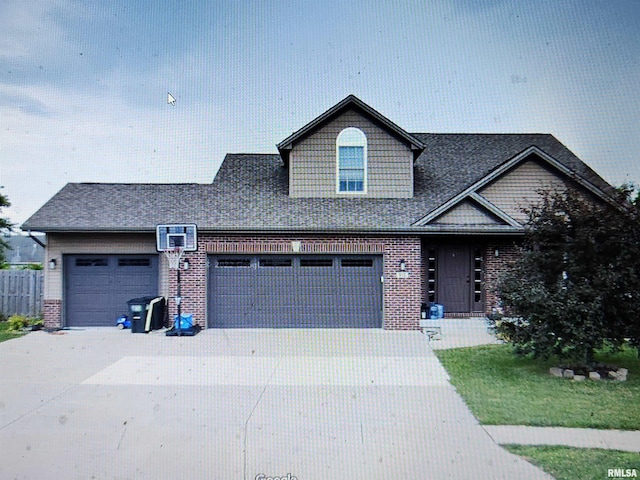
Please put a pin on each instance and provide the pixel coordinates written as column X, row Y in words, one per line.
column 501, row 389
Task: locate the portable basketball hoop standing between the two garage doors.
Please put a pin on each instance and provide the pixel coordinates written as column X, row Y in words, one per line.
column 173, row 241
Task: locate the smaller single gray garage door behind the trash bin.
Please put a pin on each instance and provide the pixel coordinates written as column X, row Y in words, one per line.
column 97, row 287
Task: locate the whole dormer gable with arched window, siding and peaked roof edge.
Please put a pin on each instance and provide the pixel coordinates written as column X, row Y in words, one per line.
column 350, row 151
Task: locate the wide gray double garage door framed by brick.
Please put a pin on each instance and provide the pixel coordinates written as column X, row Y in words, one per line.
column 279, row 291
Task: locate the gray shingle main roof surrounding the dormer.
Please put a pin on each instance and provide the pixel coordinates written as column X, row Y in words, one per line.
column 250, row 192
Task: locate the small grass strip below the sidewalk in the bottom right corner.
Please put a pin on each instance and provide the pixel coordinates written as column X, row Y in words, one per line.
column 566, row 463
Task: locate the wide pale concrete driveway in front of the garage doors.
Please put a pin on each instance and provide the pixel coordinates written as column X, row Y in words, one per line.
column 235, row 404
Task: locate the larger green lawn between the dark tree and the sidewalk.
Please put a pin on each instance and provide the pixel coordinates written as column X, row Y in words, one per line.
column 501, row 389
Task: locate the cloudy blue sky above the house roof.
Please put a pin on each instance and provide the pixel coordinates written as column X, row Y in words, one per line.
column 83, row 85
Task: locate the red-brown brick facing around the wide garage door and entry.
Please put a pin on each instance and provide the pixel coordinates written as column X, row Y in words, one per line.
column 402, row 294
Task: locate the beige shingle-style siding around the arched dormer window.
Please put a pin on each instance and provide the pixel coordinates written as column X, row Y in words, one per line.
column 312, row 167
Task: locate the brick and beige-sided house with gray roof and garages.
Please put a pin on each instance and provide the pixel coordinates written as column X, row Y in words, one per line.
column 354, row 223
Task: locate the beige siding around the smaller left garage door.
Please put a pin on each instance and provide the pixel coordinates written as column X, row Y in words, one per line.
column 59, row 244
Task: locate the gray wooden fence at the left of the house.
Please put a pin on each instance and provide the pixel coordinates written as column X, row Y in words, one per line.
column 21, row 292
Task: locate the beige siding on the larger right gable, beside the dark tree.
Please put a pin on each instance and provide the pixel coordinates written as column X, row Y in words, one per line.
column 520, row 188
